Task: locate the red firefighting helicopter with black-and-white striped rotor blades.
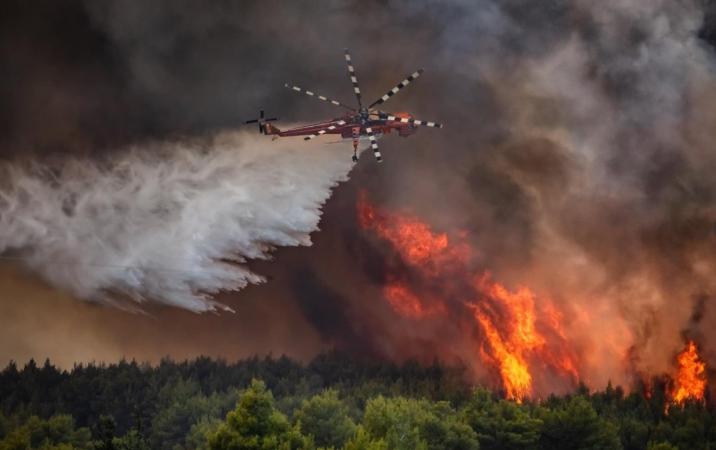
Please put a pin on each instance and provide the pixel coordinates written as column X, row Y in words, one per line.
column 365, row 121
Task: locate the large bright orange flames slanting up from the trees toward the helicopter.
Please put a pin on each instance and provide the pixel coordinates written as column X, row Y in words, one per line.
column 514, row 345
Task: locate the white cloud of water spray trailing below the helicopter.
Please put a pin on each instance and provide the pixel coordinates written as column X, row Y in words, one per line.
column 173, row 222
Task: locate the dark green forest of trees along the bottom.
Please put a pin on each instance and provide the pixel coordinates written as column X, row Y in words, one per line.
column 333, row 402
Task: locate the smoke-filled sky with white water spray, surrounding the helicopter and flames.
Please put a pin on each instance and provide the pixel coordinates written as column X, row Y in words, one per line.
column 576, row 157
